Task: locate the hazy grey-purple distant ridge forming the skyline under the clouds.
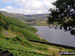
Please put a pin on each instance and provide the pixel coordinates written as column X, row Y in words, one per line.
column 23, row 17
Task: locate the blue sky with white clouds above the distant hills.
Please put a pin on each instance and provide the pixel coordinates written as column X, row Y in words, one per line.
column 26, row 6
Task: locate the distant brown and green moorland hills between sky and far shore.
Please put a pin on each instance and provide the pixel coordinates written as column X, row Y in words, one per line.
column 29, row 19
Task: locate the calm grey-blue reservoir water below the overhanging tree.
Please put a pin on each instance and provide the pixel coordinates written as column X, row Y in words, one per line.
column 56, row 36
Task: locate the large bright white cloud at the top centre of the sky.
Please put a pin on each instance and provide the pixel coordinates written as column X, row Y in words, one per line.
column 34, row 4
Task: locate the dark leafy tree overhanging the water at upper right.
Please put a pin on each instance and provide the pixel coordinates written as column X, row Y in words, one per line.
column 63, row 14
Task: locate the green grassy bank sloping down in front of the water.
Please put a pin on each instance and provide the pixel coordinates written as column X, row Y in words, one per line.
column 15, row 39
